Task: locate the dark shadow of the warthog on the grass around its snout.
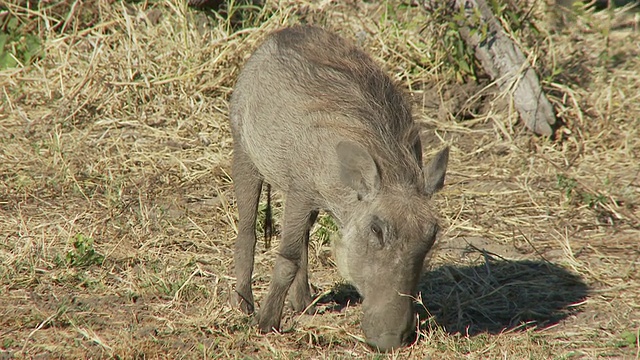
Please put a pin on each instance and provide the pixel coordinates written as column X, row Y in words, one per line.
column 495, row 296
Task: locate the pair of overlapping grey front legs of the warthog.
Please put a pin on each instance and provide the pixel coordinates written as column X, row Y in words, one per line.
column 290, row 264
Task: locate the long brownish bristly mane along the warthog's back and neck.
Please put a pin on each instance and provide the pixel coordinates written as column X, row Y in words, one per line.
column 345, row 80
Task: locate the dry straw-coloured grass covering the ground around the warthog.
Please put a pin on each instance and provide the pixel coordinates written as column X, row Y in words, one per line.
column 117, row 141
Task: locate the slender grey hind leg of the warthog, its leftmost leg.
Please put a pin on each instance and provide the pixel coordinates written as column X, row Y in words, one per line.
column 247, row 183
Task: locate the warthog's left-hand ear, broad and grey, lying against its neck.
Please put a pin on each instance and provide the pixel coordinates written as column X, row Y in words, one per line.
column 358, row 170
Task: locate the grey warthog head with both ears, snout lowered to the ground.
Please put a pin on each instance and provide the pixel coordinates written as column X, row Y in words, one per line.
column 384, row 243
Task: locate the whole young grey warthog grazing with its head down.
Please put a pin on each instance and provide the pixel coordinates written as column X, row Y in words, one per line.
column 315, row 117
